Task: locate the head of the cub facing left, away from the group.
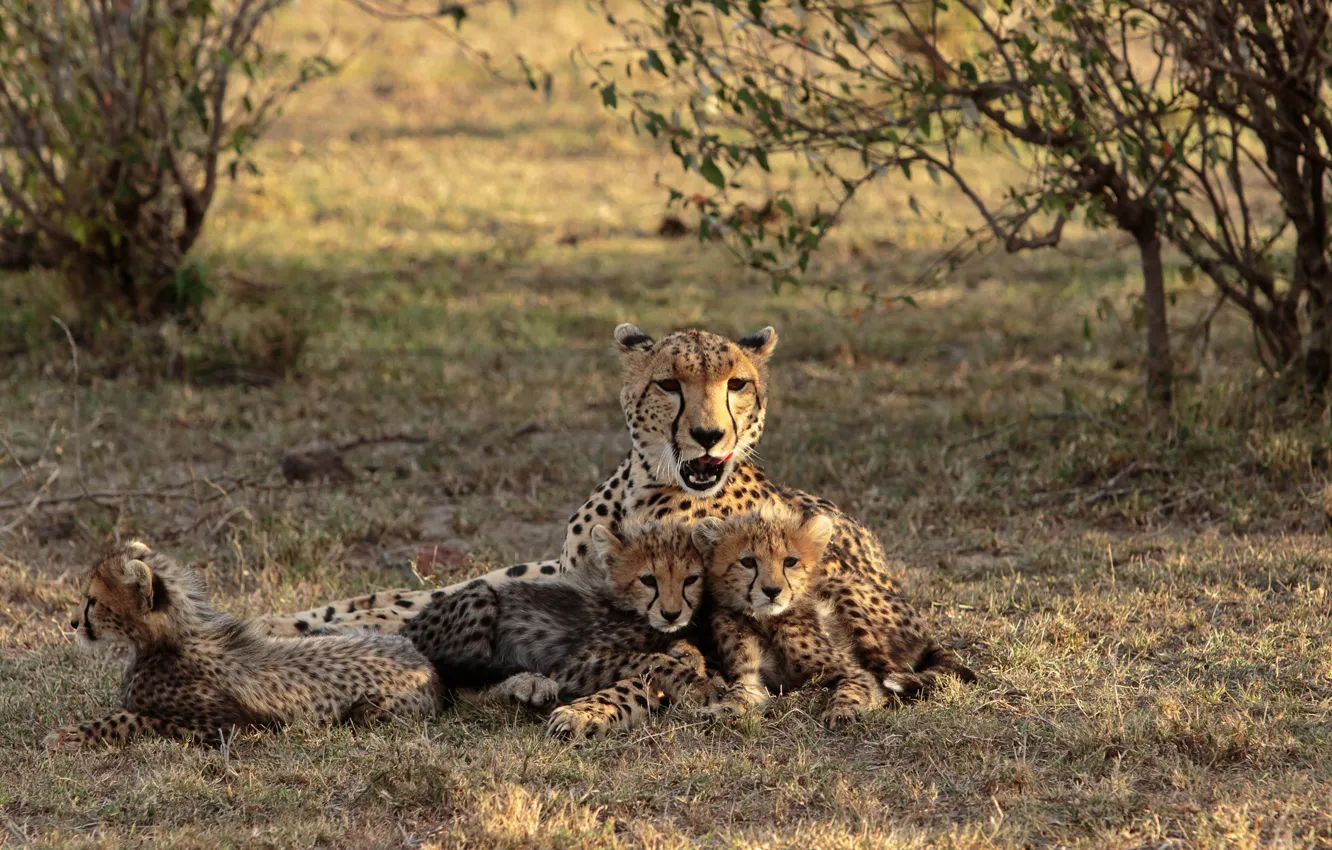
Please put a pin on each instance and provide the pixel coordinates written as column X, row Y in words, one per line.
column 139, row 598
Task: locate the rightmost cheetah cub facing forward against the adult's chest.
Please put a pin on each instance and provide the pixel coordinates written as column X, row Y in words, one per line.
column 769, row 630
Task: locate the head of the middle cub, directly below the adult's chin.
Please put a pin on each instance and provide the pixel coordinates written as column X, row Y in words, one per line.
column 655, row 571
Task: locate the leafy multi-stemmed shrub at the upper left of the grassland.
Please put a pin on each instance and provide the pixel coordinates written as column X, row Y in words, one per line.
column 118, row 119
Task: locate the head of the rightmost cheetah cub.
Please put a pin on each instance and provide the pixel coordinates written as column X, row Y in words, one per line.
column 763, row 563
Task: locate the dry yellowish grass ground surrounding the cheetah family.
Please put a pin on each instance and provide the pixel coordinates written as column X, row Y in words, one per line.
column 1150, row 610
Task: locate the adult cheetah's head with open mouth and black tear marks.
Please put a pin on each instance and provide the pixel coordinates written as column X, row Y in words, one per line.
column 695, row 403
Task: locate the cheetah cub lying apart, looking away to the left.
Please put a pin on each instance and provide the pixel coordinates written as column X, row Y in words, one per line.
column 196, row 672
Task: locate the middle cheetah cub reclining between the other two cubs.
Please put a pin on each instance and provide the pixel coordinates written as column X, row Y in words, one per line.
column 608, row 641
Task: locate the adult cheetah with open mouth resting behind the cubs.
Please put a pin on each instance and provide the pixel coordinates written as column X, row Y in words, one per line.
column 696, row 406
